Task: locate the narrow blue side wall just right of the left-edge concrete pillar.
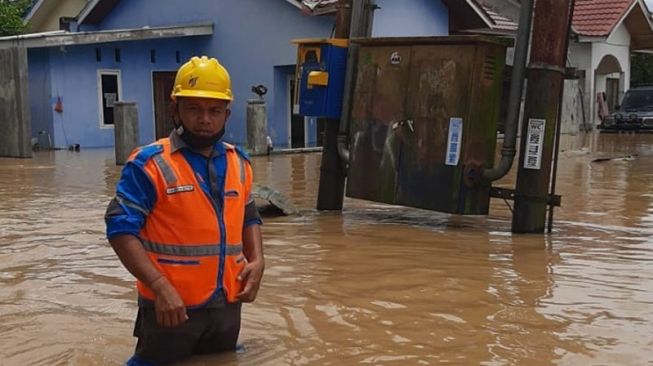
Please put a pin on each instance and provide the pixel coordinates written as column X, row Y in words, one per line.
column 39, row 91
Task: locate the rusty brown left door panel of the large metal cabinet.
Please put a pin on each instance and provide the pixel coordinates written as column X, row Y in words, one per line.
column 379, row 102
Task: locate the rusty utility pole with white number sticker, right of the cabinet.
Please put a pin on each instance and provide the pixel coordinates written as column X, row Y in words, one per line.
column 546, row 76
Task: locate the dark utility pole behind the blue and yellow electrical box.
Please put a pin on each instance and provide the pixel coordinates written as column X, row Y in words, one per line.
column 353, row 19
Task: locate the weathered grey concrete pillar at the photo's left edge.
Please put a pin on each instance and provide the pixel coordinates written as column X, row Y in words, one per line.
column 14, row 104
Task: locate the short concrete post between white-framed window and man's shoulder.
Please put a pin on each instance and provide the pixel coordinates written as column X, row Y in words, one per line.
column 125, row 117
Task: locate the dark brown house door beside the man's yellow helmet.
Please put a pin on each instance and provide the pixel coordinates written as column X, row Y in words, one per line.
column 162, row 81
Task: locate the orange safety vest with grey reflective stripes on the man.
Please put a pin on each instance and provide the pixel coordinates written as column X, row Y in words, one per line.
column 186, row 234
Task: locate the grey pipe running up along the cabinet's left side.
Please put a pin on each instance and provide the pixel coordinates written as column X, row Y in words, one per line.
column 362, row 12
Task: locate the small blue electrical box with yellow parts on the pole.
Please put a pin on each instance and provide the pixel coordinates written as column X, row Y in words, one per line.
column 321, row 67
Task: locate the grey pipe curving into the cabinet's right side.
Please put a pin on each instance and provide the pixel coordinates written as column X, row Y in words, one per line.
column 516, row 89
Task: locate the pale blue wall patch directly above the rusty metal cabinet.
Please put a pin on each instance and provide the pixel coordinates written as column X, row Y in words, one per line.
column 408, row 18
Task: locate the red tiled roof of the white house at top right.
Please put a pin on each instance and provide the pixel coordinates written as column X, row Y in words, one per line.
column 597, row 18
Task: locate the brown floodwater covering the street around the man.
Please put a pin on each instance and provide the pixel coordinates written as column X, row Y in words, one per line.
column 375, row 285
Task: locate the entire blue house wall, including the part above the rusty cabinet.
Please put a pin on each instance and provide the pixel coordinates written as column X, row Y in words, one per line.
column 251, row 38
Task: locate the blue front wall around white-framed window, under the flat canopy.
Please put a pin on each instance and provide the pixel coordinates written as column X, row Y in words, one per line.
column 74, row 78
